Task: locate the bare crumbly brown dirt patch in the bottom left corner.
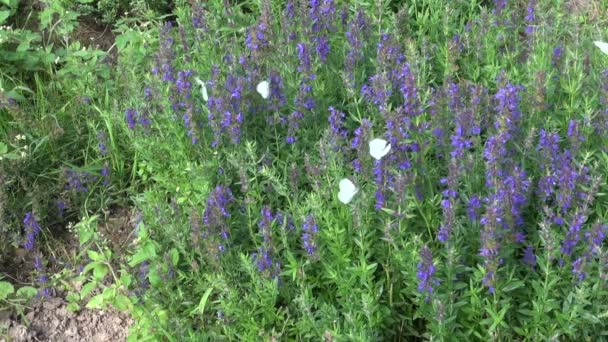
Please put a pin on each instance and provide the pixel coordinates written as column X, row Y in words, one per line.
column 51, row 321
